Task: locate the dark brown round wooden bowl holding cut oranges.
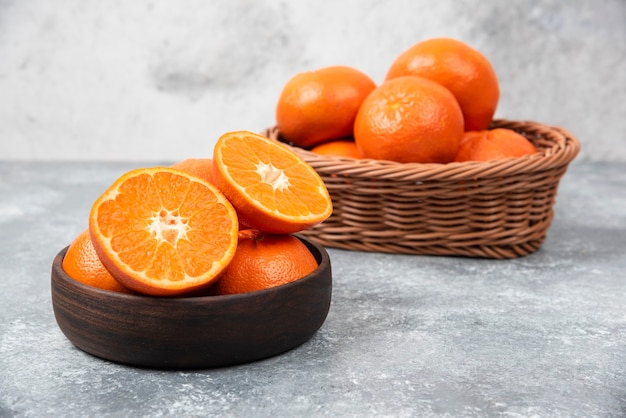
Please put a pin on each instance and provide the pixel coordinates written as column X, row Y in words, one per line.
column 192, row 332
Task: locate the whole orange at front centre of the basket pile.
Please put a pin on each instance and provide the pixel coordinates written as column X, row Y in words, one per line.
column 409, row 119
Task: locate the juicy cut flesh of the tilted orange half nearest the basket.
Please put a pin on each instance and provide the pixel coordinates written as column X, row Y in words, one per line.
column 275, row 179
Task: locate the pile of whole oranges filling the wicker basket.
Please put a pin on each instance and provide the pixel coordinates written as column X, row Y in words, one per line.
column 435, row 105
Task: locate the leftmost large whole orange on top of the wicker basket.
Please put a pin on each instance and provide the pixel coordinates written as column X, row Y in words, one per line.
column 317, row 106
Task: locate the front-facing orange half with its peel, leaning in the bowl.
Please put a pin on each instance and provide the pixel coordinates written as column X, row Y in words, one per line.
column 161, row 231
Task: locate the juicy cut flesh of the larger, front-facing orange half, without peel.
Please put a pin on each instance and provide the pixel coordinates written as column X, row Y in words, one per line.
column 165, row 226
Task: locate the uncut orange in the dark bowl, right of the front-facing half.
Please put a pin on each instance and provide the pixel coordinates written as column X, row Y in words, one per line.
column 263, row 261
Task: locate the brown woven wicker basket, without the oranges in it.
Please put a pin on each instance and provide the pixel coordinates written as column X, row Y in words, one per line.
column 496, row 209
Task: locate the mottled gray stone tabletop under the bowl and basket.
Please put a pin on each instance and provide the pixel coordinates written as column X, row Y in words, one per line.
column 543, row 335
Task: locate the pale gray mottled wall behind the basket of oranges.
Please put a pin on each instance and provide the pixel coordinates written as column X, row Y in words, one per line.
column 150, row 80
